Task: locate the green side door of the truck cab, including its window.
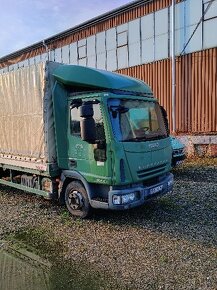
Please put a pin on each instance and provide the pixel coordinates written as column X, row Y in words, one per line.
column 88, row 159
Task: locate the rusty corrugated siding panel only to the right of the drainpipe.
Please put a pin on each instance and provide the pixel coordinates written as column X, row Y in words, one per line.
column 196, row 92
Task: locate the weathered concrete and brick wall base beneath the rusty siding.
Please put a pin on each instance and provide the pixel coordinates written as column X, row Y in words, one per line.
column 200, row 146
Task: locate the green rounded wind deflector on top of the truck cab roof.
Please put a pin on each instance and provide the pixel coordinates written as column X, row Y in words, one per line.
column 79, row 76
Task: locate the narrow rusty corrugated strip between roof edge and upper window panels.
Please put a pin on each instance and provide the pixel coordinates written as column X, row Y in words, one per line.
column 146, row 8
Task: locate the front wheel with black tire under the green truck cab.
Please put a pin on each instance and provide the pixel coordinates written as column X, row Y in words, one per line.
column 77, row 200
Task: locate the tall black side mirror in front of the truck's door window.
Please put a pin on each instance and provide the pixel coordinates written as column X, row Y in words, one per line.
column 88, row 126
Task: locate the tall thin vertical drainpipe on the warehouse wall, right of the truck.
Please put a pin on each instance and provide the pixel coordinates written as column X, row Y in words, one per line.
column 173, row 58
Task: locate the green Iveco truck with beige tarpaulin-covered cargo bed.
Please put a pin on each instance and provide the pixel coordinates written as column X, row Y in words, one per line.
column 86, row 137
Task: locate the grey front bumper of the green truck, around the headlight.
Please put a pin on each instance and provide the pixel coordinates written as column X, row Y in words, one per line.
column 143, row 193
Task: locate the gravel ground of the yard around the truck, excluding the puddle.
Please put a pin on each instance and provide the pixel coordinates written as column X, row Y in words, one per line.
column 169, row 243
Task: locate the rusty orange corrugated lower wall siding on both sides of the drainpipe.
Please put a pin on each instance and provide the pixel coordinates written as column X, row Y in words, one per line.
column 196, row 89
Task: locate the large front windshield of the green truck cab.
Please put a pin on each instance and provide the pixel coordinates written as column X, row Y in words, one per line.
column 136, row 120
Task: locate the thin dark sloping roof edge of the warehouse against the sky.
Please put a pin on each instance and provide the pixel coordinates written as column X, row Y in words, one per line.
column 77, row 28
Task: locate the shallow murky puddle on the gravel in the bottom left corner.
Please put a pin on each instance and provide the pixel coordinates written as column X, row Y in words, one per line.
column 21, row 269
